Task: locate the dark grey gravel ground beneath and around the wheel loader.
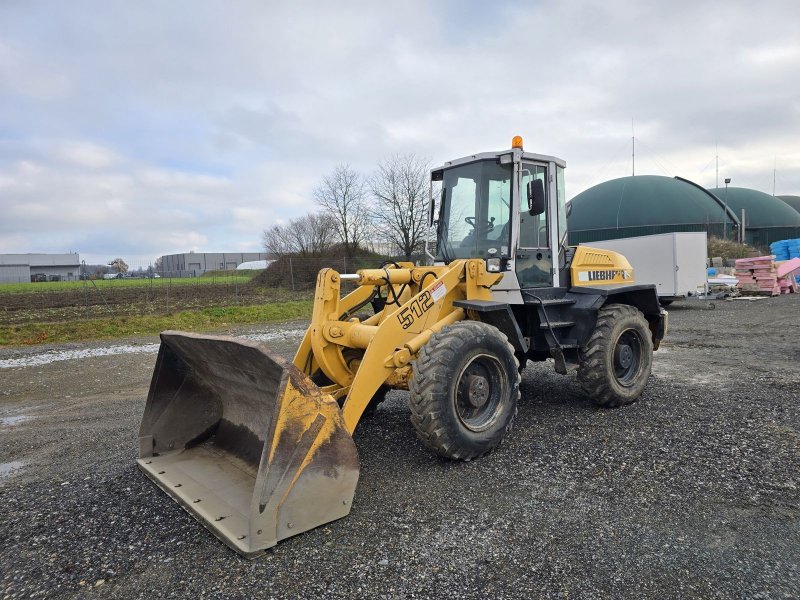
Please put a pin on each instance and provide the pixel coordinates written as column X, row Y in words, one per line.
column 691, row 492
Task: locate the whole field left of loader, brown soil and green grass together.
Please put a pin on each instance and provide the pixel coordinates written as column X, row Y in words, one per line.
column 73, row 311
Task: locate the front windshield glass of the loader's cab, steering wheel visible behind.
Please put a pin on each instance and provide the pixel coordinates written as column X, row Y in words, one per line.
column 476, row 211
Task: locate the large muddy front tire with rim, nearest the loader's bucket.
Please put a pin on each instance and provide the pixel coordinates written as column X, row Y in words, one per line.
column 464, row 390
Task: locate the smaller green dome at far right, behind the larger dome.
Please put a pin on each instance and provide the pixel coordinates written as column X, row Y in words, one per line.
column 767, row 218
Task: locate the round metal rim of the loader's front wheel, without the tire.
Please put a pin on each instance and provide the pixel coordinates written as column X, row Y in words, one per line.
column 479, row 392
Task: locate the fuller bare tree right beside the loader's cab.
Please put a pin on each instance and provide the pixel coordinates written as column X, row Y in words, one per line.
column 401, row 187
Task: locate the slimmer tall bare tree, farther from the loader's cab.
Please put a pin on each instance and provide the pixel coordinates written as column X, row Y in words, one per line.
column 342, row 195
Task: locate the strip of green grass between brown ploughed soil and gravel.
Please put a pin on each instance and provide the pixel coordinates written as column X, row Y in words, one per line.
column 206, row 319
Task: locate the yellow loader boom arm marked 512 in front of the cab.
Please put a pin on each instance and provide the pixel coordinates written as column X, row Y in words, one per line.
column 419, row 303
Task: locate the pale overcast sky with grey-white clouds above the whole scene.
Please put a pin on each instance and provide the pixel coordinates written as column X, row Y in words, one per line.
column 141, row 128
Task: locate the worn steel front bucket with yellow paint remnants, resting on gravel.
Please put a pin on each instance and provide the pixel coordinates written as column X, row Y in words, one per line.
column 244, row 441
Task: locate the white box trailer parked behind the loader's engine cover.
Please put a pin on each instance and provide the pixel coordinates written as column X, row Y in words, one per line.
column 675, row 262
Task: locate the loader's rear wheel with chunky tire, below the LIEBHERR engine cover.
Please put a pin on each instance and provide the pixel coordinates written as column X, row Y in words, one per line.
column 616, row 361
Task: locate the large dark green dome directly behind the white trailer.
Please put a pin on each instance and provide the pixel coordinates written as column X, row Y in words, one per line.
column 646, row 205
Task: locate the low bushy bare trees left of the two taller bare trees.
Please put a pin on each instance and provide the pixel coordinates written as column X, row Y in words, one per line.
column 310, row 235
